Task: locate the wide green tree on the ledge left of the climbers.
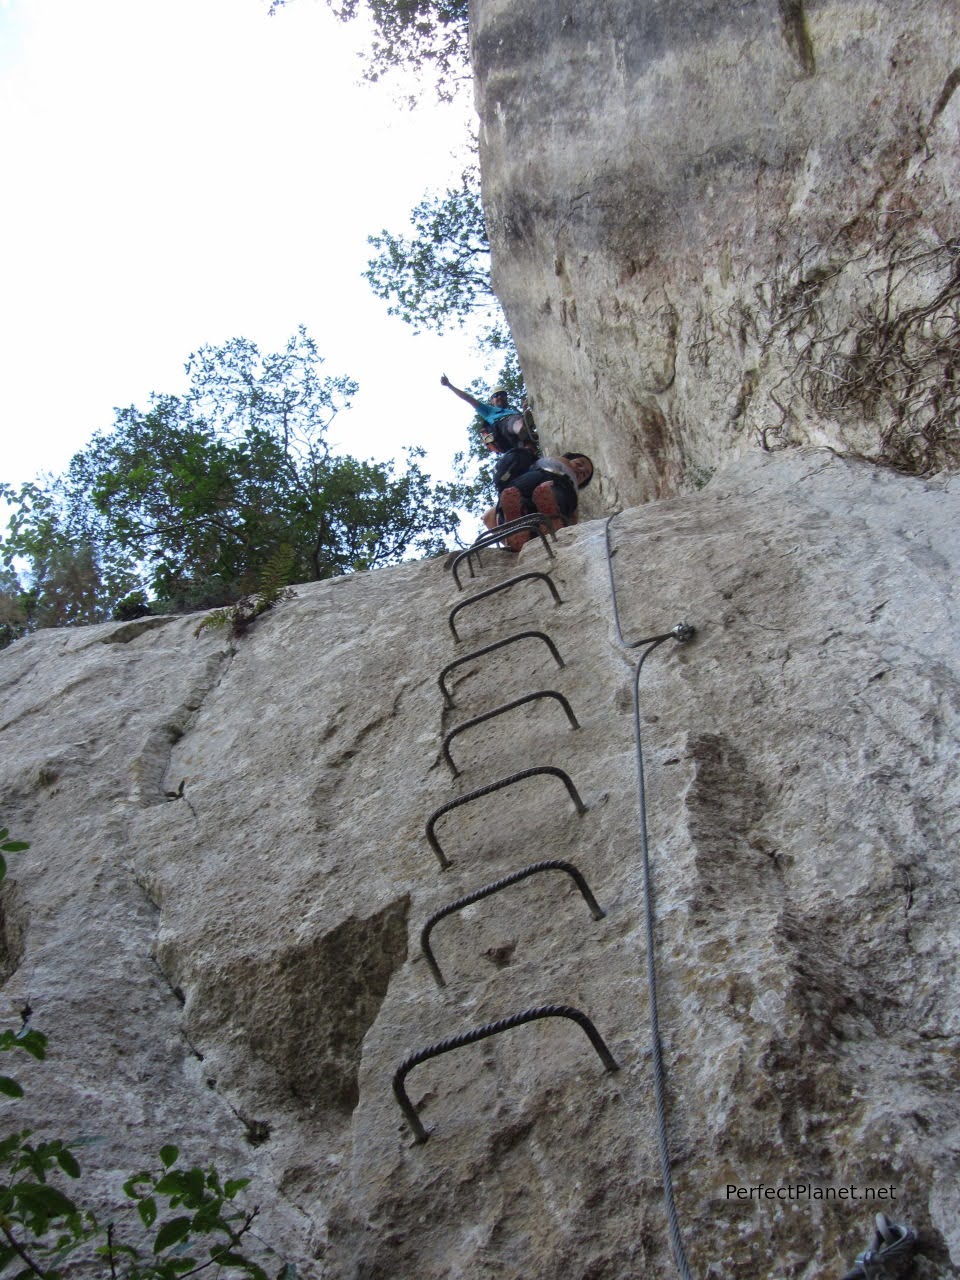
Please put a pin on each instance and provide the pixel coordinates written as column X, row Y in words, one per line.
column 193, row 497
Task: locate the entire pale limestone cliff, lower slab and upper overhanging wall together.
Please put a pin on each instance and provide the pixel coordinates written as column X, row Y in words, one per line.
column 721, row 231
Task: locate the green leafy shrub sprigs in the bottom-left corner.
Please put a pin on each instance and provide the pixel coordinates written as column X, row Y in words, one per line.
column 186, row 1218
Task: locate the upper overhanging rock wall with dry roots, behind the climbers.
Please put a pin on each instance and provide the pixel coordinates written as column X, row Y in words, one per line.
column 725, row 226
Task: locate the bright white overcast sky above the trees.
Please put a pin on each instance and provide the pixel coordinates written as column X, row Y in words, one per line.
column 184, row 172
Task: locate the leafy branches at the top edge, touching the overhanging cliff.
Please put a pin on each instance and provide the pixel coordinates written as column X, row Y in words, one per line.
column 426, row 38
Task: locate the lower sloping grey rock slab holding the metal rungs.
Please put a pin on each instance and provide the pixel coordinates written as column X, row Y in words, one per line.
column 218, row 921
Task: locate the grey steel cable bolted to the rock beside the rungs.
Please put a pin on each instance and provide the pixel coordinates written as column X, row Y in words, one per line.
column 683, row 632
